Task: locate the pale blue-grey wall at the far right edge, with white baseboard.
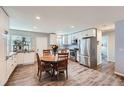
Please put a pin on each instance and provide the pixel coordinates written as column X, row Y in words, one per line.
column 119, row 48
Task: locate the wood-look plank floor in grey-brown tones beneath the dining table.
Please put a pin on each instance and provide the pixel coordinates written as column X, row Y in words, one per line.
column 78, row 76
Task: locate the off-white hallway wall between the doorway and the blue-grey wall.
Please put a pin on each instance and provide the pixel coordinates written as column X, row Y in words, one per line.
column 111, row 45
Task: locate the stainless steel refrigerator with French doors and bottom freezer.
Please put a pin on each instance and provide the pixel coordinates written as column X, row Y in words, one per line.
column 88, row 52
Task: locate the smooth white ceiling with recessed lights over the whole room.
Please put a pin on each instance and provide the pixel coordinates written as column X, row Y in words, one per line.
column 63, row 19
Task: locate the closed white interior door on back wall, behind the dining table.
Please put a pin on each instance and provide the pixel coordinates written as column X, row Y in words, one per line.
column 41, row 44
